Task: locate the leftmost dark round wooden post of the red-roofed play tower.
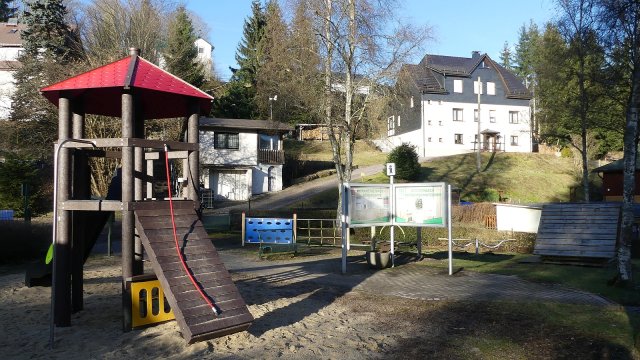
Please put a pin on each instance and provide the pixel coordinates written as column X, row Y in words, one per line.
column 62, row 284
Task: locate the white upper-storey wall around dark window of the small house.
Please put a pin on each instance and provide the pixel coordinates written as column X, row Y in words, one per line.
column 247, row 154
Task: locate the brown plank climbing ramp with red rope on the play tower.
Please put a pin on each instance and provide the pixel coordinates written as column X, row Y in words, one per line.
column 194, row 316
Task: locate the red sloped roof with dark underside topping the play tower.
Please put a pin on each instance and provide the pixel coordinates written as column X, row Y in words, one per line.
column 159, row 93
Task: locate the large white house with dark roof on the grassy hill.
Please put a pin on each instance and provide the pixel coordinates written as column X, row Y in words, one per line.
column 437, row 109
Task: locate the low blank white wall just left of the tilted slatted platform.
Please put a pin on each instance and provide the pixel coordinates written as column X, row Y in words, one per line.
column 518, row 218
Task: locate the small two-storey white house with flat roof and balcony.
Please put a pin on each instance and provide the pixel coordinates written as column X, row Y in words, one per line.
column 241, row 158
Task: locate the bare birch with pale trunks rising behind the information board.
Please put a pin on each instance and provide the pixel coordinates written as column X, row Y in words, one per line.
column 360, row 55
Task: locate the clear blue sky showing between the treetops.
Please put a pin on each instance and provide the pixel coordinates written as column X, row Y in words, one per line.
column 460, row 26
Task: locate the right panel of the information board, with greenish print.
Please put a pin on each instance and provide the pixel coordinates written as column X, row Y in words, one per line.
column 420, row 204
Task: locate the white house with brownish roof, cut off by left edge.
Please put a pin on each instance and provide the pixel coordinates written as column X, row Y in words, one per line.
column 10, row 49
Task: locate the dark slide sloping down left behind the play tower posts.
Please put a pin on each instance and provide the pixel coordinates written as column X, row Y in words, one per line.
column 38, row 273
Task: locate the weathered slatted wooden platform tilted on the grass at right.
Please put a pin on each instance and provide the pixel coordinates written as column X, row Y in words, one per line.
column 584, row 230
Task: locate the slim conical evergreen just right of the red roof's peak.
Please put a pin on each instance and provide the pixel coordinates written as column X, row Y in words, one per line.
column 181, row 53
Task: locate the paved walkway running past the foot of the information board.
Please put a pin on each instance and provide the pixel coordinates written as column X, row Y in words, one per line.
column 411, row 280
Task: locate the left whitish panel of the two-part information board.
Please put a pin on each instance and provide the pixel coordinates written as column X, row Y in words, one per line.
column 369, row 204
